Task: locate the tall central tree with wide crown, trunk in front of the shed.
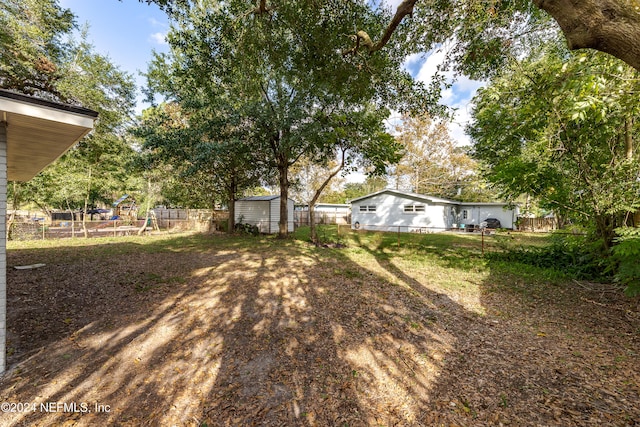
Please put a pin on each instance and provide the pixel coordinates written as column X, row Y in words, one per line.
column 281, row 71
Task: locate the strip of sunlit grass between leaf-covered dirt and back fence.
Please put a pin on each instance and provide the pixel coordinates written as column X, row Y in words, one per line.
column 450, row 264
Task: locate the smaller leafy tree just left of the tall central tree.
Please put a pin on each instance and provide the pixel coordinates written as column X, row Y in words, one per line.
column 202, row 147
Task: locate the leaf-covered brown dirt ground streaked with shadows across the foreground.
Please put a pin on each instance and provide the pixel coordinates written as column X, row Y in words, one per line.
column 288, row 335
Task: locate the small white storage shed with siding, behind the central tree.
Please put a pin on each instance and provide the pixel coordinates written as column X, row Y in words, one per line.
column 264, row 212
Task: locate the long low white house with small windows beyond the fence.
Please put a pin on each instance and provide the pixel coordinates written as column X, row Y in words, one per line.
column 393, row 210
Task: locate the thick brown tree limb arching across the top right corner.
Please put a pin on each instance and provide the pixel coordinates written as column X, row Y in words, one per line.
column 611, row 26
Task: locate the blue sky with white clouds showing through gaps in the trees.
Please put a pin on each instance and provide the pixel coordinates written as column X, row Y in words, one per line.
column 127, row 31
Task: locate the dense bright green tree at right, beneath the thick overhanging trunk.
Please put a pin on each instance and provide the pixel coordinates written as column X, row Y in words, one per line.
column 561, row 128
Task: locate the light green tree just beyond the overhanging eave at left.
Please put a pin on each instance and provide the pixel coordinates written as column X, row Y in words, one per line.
column 94, row 171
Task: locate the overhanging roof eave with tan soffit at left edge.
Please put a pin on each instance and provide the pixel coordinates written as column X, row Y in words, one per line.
column 39, row 131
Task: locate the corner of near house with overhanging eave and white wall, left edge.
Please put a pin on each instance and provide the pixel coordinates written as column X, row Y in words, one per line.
column 33, row 133
